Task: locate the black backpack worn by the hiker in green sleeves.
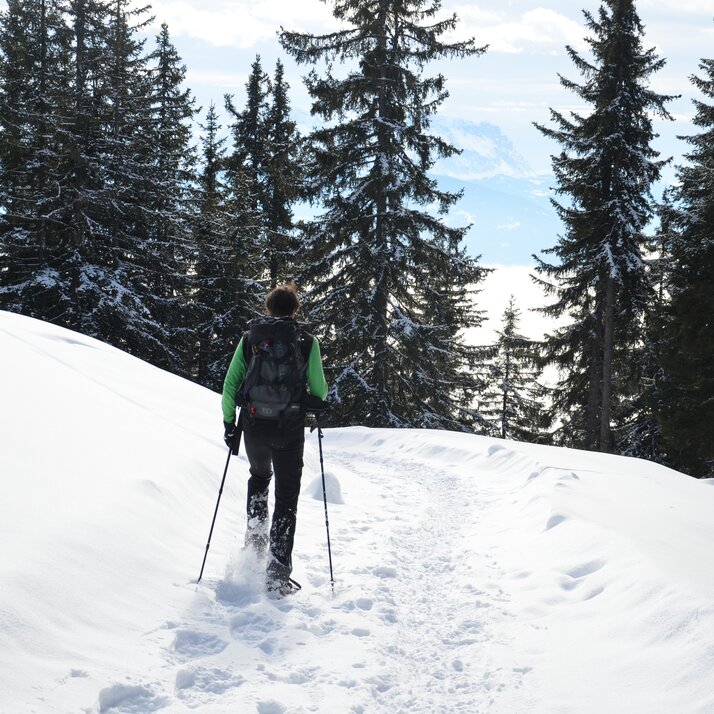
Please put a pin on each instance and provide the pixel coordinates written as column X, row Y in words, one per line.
column 276, row 352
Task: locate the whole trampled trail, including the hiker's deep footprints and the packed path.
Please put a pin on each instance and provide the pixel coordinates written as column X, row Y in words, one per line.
column 419, row 617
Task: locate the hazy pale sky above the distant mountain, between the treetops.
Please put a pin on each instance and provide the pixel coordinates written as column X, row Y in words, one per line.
column 511, row 86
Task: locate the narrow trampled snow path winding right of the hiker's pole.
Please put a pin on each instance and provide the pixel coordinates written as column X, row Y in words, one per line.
column 446, row 598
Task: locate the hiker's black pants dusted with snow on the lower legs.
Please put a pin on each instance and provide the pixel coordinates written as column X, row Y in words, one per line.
column 274, row 448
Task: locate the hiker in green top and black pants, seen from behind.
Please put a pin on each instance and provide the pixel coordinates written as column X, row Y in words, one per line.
column 276, row 371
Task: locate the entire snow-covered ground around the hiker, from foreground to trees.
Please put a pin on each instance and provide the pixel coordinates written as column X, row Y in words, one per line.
column 473, row 575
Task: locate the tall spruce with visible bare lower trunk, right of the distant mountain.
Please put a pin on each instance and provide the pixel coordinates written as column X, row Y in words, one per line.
column 605, row 170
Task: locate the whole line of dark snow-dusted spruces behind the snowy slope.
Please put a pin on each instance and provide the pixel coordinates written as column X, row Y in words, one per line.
column 121, row 221
